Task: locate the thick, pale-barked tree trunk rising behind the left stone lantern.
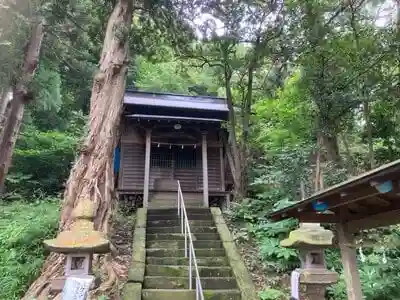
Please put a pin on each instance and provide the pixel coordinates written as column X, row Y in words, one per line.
column 92, row 176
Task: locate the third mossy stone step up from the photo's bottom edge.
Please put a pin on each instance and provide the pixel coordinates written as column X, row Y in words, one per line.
column 183, row 271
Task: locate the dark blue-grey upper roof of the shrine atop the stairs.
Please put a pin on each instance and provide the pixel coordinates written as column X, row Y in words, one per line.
column 207, row 103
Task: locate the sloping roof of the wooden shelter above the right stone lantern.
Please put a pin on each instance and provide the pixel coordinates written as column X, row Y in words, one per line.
column 356, row 201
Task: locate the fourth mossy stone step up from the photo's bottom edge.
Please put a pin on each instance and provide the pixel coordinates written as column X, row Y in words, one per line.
column 181, row 260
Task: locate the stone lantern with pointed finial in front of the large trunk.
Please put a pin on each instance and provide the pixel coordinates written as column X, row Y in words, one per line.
column 79, row 243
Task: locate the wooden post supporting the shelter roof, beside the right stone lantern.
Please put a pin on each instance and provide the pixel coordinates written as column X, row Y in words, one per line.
column 349, row 260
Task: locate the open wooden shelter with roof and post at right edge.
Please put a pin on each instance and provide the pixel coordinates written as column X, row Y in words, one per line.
column 368, row 201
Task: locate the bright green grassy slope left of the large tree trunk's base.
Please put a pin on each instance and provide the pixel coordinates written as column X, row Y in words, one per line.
column 23, row 227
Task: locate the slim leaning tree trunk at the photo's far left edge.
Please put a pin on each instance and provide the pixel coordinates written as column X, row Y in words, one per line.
column 14, row 111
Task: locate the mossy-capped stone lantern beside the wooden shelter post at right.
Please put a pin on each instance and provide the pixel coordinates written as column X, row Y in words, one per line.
column 311, row 240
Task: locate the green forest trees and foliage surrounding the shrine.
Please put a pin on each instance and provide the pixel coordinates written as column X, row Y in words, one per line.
column 301, row 77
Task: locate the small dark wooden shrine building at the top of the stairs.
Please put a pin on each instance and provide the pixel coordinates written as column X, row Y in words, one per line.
column 166, row 138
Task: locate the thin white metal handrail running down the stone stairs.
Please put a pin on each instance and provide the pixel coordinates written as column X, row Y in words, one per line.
column 185, row 229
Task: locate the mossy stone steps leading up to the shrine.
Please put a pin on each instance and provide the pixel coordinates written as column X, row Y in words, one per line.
column 166, row 268
